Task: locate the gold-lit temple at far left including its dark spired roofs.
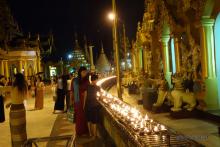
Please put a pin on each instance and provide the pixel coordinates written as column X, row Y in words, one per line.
column 20, row 53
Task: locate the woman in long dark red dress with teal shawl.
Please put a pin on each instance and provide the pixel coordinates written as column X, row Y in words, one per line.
column 79, row 86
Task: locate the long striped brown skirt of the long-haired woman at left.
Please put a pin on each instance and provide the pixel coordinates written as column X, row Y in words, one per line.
column 18, row 125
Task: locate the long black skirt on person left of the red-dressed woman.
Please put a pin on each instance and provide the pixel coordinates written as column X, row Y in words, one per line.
column 59, row 104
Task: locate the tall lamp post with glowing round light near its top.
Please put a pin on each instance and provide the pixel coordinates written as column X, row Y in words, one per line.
column 113, row 17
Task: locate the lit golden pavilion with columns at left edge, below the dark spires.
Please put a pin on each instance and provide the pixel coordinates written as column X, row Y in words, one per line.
column 24, row 57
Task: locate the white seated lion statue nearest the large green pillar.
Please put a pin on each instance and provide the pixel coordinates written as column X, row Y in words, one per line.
column 180, row 95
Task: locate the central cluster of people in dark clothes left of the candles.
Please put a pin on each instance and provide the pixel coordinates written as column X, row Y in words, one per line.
column 81, row 95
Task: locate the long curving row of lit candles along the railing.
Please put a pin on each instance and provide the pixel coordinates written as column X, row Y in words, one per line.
column 131, row 116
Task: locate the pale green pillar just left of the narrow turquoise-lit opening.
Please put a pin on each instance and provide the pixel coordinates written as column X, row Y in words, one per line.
column 166, row 58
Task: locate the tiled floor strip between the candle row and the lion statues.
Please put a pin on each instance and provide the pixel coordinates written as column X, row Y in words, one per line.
column 201, row 131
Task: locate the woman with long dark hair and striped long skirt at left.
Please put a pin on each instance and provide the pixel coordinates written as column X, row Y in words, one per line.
column 17, row 111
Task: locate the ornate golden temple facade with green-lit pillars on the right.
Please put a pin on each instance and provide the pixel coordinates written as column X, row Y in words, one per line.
column 181, row 37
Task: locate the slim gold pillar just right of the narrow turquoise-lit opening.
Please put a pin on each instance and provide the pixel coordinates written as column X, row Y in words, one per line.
column 177, row 55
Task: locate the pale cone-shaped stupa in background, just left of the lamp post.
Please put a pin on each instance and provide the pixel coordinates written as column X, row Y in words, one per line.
column 102, row 64
